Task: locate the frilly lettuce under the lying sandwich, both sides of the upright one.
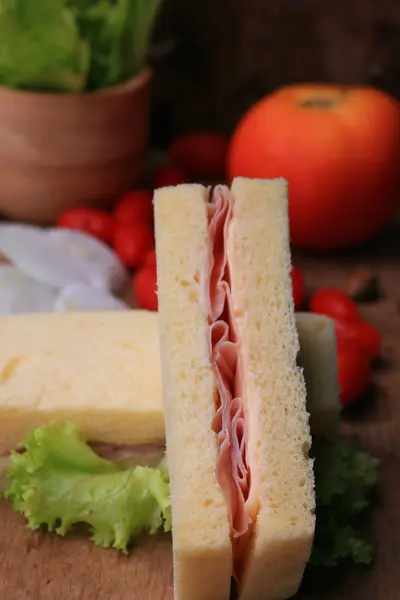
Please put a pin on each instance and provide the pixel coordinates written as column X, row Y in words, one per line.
column 59, row 481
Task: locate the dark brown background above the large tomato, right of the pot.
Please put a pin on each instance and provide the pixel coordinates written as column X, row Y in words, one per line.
column 213, row 58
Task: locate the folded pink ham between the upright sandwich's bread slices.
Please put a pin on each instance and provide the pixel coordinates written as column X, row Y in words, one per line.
column 229, row 424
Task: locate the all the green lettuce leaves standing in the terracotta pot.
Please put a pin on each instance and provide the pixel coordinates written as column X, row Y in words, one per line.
column 73, row 45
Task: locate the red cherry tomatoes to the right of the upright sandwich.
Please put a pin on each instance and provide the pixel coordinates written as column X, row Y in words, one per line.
column 358, row 342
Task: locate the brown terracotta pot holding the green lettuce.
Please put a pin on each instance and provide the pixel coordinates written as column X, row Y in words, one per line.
column 59, row 151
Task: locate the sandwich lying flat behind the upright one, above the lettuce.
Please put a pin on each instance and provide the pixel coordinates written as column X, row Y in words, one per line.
column 101, row 371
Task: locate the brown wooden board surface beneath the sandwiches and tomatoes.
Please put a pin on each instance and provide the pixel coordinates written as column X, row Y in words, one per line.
column 39, row 566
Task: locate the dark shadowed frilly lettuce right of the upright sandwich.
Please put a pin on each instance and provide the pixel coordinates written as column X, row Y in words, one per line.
column 344, row 478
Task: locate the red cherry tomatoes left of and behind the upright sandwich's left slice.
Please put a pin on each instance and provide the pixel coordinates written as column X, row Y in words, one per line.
column 129, row 228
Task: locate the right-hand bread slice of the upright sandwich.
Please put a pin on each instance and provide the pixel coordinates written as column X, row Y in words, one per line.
column 279, row 436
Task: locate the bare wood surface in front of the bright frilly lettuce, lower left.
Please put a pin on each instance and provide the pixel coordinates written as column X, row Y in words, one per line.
column 39, row 566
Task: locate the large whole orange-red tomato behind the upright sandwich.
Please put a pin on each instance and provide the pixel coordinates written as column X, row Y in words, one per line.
column 339, row 149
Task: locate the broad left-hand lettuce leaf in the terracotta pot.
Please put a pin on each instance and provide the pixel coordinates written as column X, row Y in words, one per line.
column 41, row 47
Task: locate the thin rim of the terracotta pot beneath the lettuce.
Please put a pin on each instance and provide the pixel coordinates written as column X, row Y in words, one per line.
column 139, row 81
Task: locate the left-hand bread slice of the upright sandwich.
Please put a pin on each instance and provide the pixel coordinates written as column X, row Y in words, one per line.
column 202, row 549
